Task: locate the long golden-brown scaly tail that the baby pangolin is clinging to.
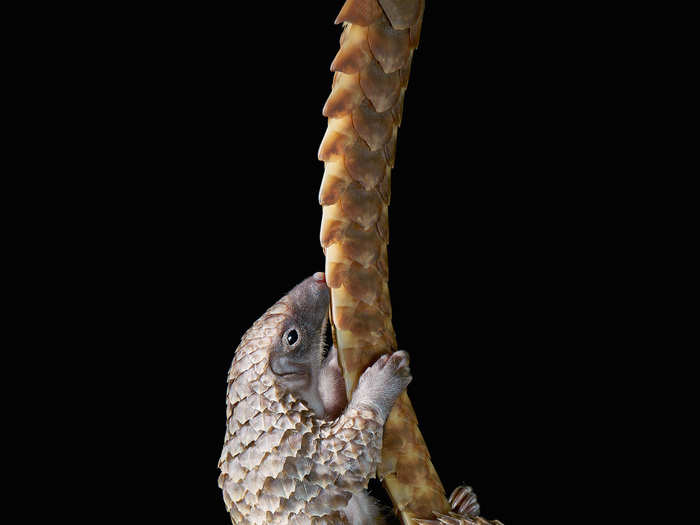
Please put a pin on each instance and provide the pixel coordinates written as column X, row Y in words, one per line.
column 364, row 112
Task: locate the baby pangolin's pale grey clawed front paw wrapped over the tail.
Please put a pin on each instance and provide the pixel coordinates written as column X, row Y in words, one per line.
column 383, row 382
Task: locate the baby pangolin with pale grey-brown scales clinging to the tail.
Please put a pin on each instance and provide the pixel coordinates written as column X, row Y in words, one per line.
column 286, row 458
